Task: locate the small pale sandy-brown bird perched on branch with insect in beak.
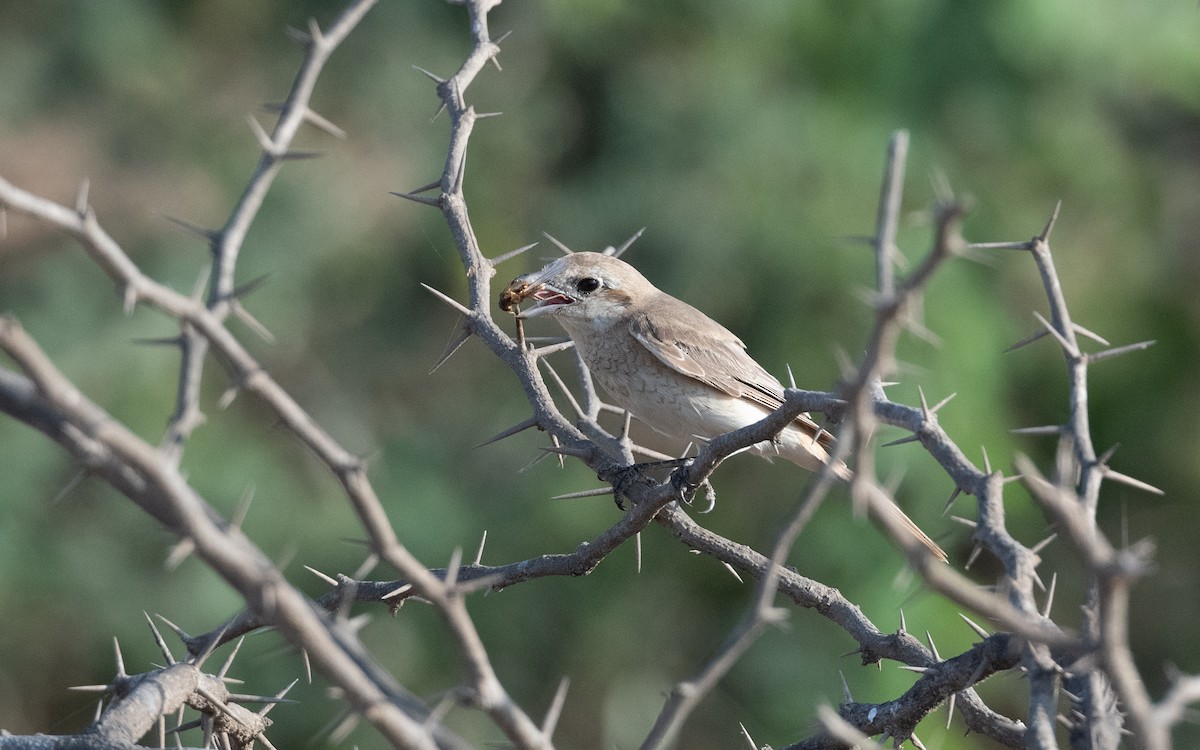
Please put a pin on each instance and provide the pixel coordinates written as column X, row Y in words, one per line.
column 668, row 364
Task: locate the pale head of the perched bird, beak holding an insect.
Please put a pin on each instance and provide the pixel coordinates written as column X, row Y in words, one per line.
column 581, row 286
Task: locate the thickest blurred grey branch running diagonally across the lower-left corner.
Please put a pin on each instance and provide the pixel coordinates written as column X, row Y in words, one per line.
column 49, row 401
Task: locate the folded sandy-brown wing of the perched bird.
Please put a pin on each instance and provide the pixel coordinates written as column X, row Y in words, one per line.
column 706, row 351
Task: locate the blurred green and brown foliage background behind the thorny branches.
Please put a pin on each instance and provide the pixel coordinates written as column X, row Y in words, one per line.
column 751, row 143
